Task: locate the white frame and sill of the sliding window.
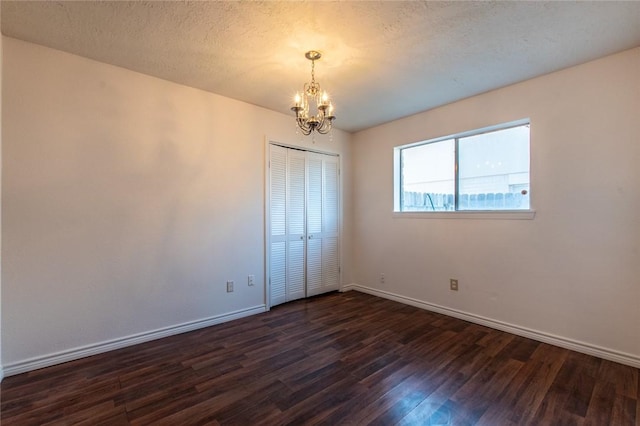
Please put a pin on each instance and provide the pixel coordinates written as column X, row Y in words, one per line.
column 457, row 214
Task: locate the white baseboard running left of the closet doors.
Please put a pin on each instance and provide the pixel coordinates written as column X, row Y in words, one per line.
column 85, row 351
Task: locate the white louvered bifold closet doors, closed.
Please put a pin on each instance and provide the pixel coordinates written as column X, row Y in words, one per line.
column 304, row 211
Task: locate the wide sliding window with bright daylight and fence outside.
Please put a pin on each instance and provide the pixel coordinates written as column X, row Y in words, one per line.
column 481, row 170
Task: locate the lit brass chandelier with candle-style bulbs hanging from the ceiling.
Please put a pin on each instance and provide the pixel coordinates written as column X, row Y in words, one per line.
column 312, row 94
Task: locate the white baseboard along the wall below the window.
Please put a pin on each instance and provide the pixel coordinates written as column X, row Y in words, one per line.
column 563, row 342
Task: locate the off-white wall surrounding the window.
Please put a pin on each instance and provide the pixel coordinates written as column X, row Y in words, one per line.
column 573, row 272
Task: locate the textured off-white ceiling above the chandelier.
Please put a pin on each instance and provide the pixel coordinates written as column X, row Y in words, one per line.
column 382, row 60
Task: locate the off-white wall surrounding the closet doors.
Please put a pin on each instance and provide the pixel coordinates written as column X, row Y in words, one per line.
column 127, row 203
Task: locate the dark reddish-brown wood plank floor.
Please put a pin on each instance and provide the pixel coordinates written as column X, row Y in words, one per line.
column 346, row 358
